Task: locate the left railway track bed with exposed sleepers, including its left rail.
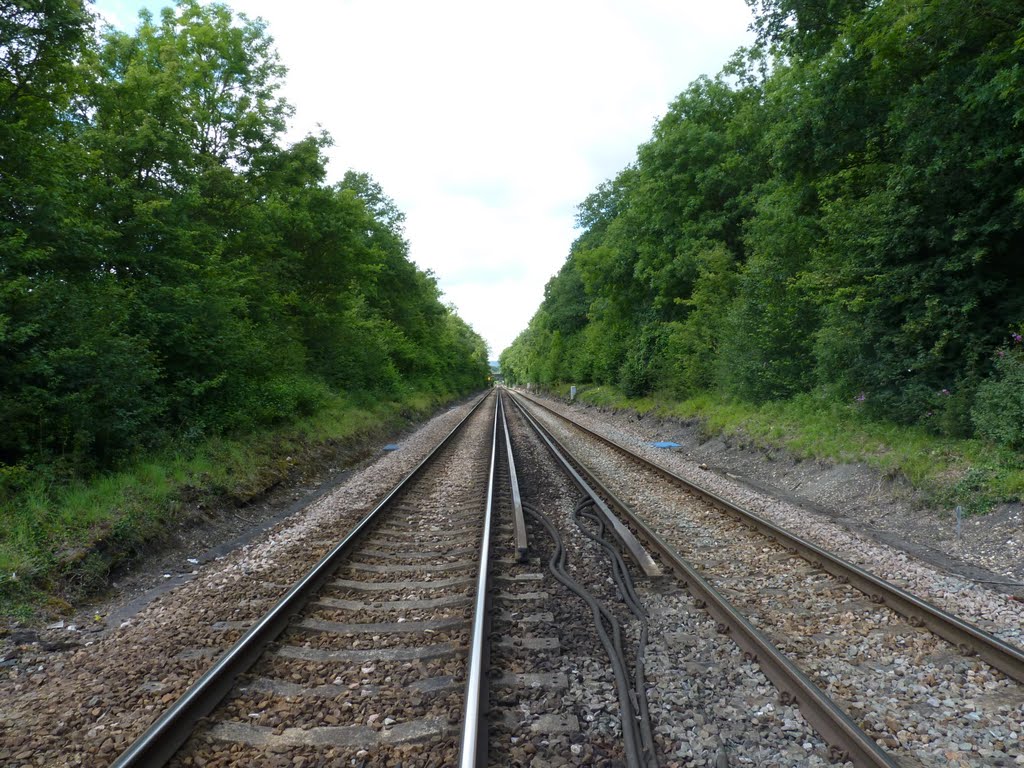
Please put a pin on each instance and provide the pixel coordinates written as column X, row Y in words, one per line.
column 364, row 659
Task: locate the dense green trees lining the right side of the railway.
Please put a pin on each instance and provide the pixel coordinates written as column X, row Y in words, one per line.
column 840, row 211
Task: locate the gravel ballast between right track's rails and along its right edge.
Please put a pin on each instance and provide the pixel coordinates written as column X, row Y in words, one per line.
column 916, row 695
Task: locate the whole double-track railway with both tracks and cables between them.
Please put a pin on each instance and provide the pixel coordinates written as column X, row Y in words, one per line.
column 504, row 607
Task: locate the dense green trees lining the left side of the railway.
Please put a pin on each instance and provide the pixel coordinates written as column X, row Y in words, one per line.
column 169, row 270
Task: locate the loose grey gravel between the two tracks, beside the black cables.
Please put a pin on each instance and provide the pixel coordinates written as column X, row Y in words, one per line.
column 707, row 703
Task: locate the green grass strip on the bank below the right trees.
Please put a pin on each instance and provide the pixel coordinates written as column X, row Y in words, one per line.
column 970, row 474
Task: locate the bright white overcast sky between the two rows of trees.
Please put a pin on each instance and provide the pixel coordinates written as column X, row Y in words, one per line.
column 488, row 122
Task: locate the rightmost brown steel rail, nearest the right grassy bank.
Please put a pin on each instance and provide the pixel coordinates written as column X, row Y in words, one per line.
column 969, row 638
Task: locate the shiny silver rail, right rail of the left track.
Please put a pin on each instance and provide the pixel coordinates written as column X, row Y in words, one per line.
column 474, row 750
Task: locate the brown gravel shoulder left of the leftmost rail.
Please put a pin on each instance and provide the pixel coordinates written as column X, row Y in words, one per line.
column 72, row 697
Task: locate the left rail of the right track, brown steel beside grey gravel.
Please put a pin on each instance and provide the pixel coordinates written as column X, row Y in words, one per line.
column 835, row 727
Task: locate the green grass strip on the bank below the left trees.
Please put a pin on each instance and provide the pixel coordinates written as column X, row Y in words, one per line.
column 60, row 542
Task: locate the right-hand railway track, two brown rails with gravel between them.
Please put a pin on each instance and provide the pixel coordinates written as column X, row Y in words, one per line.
column 931, row 689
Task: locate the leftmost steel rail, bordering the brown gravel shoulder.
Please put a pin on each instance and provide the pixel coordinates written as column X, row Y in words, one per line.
column 162, row 740
